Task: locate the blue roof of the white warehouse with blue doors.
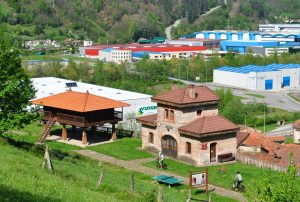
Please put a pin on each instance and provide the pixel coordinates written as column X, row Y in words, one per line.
column 254, row 68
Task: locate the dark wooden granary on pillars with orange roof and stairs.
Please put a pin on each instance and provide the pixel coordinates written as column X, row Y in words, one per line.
column 77, row 109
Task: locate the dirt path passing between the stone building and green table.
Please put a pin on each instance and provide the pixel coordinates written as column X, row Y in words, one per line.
column 137, row 166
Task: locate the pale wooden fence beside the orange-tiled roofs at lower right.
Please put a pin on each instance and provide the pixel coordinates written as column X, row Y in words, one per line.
column 248, row 159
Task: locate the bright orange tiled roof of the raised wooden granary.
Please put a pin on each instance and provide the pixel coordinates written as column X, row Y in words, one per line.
column 79, row 102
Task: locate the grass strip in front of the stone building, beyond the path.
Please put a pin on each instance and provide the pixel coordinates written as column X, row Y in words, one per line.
column 249, row 173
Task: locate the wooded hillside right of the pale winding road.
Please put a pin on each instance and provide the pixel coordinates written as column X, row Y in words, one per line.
column 243, row 15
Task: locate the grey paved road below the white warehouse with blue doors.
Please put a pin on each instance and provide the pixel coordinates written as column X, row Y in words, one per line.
column 272, row 99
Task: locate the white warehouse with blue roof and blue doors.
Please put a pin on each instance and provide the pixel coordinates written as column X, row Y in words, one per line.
column 274, row 77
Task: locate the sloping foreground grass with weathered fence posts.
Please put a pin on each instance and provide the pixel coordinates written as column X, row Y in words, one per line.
column 74, row 178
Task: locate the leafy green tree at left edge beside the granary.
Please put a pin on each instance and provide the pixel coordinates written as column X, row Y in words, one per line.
column 16, row 89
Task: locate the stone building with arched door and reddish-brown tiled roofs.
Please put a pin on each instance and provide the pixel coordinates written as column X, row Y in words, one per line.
column 187, row 126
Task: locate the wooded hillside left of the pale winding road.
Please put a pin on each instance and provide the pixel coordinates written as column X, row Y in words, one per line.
column 103, row 21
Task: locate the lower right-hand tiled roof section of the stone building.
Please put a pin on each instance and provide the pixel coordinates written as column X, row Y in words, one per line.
column 208, row 125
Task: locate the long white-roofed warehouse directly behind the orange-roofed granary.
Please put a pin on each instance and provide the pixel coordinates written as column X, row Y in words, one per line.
column 140, row 104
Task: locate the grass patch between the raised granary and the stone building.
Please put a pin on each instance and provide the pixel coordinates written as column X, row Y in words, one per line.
column 125, row 149
